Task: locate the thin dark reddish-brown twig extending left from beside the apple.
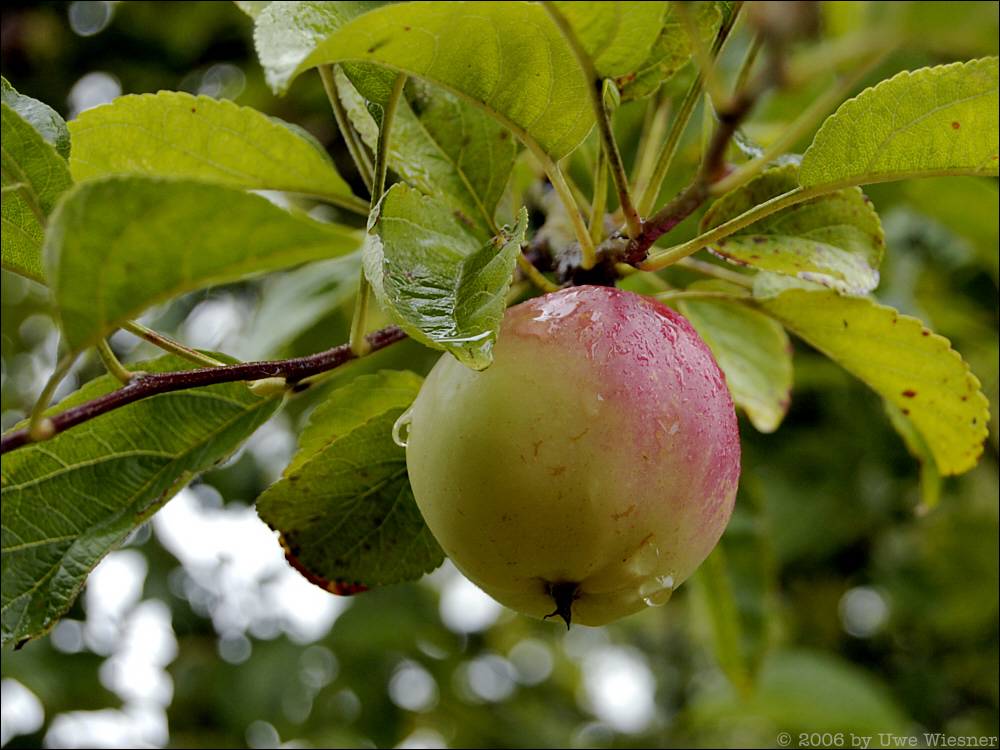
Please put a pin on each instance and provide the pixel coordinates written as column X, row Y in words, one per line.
column 144, row 386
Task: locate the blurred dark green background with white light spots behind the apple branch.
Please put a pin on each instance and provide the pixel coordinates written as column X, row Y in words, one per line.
column 848, row 604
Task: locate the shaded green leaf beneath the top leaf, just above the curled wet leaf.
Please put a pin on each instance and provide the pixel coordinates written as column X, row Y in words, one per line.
column 451, row 149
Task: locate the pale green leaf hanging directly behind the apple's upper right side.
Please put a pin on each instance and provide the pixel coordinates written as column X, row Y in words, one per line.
column 753, row 352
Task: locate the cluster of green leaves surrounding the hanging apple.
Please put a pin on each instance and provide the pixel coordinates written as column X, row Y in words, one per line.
column 154, row 196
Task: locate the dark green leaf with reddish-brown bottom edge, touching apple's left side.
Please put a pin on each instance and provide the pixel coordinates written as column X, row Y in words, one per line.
column 344, row 507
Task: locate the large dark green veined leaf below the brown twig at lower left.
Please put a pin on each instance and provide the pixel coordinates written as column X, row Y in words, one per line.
column 70, row 500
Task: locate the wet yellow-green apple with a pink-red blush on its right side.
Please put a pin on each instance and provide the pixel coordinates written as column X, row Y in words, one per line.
column 591, row 468
